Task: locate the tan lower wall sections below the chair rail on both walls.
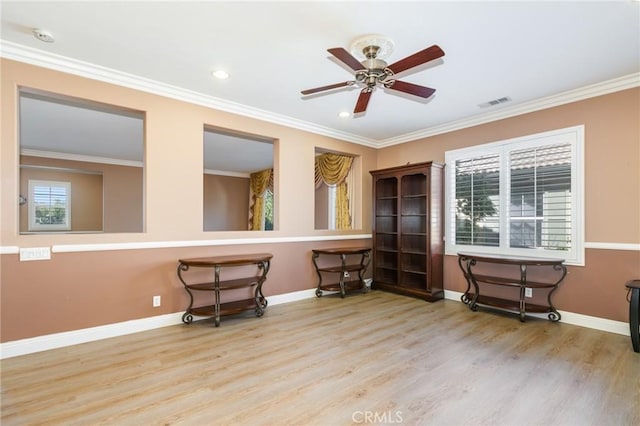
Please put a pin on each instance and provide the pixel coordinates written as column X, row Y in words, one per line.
column 79, row 290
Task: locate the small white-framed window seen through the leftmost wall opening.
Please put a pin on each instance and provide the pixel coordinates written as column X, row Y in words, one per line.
column 49, row 205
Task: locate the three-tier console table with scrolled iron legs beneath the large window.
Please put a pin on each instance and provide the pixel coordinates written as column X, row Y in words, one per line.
column 473, row 297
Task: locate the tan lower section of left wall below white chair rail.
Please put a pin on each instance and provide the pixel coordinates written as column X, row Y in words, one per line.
column 73, row 291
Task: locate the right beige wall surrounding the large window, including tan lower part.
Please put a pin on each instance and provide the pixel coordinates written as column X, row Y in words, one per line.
column 612, row 192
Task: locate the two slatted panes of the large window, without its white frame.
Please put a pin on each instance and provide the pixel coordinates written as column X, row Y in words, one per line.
column 539, row 199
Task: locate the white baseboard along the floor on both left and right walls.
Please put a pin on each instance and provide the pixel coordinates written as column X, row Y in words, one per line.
column 75, row 337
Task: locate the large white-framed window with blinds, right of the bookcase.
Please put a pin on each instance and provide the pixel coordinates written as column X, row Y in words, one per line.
column 521, row 196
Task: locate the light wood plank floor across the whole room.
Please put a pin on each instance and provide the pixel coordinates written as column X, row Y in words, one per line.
column 367, row 359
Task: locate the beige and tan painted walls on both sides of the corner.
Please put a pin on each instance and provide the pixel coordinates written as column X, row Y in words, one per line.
column 79, row 290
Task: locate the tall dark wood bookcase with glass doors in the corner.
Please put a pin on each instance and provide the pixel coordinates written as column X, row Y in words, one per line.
column 408, row 217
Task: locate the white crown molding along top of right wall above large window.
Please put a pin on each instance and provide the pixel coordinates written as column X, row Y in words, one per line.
column 598, row 89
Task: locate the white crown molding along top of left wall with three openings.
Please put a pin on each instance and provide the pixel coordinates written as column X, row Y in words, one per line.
column 21, row 53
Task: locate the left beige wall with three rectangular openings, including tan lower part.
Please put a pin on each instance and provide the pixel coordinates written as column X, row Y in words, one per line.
column 78, row 290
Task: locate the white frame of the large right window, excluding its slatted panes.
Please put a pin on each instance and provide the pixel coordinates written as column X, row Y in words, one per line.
column 571, row 135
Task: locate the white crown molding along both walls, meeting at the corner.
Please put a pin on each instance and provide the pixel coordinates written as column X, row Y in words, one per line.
column 44, row 59
